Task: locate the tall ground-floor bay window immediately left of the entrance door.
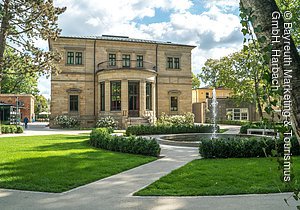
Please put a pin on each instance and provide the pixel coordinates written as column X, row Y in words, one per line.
column 115, row 92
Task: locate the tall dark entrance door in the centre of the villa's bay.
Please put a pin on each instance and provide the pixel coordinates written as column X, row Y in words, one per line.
column 133, row 99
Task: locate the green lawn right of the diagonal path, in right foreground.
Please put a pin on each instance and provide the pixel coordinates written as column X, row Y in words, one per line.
column 222, row 177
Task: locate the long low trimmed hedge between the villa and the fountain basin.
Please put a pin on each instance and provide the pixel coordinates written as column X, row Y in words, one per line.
column 174, row 129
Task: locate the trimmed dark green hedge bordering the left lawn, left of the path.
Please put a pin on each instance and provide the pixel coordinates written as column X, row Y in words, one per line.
column 101, row 138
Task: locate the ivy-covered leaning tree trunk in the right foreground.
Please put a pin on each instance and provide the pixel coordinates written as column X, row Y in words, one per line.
column 263, row 11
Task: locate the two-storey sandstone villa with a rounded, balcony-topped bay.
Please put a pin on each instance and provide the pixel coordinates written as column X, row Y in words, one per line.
column 132, row 80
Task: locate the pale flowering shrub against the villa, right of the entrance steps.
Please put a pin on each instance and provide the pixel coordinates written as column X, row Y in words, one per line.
column 168, row 120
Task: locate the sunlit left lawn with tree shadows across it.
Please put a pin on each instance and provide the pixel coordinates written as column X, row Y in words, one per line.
column 58, row 163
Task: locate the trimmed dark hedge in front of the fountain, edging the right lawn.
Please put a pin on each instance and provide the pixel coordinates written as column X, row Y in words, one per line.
column 244, row 147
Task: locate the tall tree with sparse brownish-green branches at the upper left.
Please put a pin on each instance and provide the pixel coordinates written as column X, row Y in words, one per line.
column 22, row 23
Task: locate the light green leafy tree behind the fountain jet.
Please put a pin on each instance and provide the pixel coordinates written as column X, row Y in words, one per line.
column 241, row 72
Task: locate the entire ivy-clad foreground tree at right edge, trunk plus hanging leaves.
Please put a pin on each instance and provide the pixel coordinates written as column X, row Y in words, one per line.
column 263, row 21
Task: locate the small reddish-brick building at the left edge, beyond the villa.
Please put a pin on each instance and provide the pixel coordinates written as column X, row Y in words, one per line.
column 22, row 103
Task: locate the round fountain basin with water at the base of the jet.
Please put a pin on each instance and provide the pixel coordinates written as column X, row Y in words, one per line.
column 192, row 139
